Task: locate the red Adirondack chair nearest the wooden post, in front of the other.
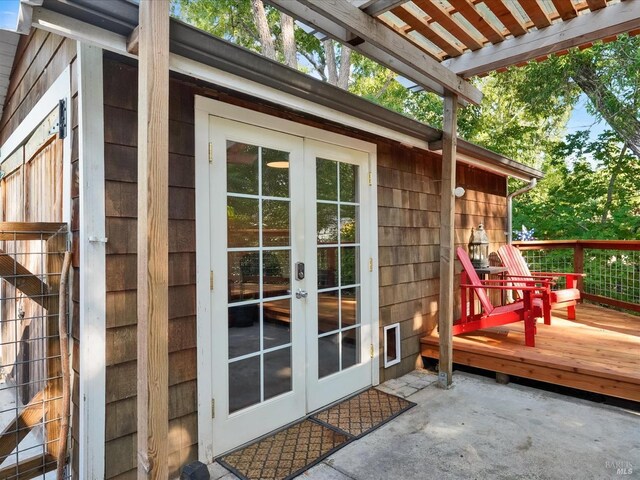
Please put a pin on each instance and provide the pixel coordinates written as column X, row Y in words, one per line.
column 525, row 309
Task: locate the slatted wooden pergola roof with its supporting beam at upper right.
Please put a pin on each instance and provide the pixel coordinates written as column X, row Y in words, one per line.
column 486, row 35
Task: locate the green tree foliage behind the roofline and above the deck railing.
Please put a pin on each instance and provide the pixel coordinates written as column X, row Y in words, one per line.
column 590, row 185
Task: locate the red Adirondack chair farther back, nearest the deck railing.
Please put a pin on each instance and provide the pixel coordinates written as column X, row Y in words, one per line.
column 566, row 297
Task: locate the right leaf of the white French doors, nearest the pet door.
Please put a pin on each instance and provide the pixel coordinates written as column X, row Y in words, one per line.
column 339, row 337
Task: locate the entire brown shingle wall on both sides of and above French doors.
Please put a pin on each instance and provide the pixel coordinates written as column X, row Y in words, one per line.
column 408, row 212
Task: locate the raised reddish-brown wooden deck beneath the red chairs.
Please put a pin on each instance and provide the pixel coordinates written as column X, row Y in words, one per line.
column 599, row 352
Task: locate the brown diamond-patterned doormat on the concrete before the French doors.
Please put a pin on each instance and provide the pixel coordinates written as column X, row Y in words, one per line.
column 289, row 452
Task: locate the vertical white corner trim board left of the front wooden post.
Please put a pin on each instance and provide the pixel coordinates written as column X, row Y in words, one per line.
column 92, row 263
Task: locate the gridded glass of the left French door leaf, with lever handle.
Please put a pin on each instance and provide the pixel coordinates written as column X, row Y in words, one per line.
column 259, row 274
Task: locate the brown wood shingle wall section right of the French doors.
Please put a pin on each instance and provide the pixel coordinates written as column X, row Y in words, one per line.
column 409, row 238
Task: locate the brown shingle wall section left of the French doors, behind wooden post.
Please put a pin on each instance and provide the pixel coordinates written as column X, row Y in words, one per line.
column 120, row 105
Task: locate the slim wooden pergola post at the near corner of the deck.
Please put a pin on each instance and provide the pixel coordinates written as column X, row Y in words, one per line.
column 447, row 226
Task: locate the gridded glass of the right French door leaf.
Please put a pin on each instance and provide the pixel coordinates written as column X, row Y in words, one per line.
column 338, row 253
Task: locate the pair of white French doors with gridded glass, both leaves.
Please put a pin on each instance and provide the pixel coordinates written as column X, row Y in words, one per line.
column 290, row 321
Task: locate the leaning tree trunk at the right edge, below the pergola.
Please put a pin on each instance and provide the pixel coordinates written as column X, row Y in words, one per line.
column 621, row 117
